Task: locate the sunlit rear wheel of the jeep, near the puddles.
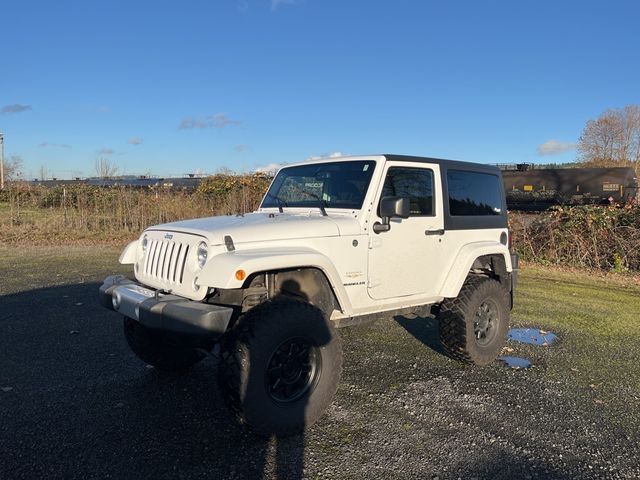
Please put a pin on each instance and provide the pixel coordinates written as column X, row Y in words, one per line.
column 474, row 325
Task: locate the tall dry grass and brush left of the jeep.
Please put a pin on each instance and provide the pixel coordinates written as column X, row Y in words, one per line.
column 87, row 215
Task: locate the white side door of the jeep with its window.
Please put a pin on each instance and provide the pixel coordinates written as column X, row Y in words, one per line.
column 409, row 259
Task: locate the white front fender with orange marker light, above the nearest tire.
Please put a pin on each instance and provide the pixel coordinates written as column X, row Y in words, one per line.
column 220, row 270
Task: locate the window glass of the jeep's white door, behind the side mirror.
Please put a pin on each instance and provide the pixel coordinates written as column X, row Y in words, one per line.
column 415, row 183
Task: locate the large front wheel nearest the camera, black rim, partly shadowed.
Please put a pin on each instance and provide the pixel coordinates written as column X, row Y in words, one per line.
column 280, row 367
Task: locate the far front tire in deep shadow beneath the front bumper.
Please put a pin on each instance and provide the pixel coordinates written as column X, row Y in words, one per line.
column 152, row 348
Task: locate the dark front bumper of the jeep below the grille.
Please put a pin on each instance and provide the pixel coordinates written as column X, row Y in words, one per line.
column 166, row 312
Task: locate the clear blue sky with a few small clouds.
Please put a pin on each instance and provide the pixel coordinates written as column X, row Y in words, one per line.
column 176, row 87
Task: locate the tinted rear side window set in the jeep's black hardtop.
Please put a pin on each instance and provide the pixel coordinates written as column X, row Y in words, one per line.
column 473, row 193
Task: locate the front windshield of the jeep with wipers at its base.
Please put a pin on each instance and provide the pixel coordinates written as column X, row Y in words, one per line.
column 327, row 185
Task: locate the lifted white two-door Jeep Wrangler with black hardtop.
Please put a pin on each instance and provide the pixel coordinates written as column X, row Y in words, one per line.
column 335, row 242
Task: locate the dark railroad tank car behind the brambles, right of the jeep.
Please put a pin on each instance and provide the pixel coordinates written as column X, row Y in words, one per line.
column 538, row 189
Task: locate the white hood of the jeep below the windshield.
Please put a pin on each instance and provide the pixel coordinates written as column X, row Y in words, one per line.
column 264, row 227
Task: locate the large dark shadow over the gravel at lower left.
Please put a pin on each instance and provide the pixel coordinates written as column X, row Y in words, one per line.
column 76, row 403
